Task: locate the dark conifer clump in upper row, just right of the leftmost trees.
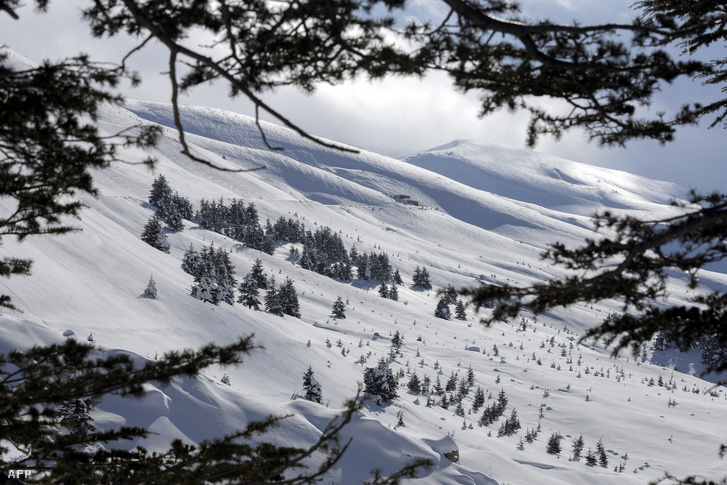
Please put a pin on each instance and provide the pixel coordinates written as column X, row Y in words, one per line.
column 236, row 221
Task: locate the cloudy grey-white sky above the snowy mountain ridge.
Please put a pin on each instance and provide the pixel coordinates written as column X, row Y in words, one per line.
column 400, row 117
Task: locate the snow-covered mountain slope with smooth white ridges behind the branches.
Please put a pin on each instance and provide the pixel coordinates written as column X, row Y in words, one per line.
column 483, row 211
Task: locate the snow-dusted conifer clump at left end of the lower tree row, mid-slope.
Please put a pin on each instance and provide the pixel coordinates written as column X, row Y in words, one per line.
column 214, row 274
